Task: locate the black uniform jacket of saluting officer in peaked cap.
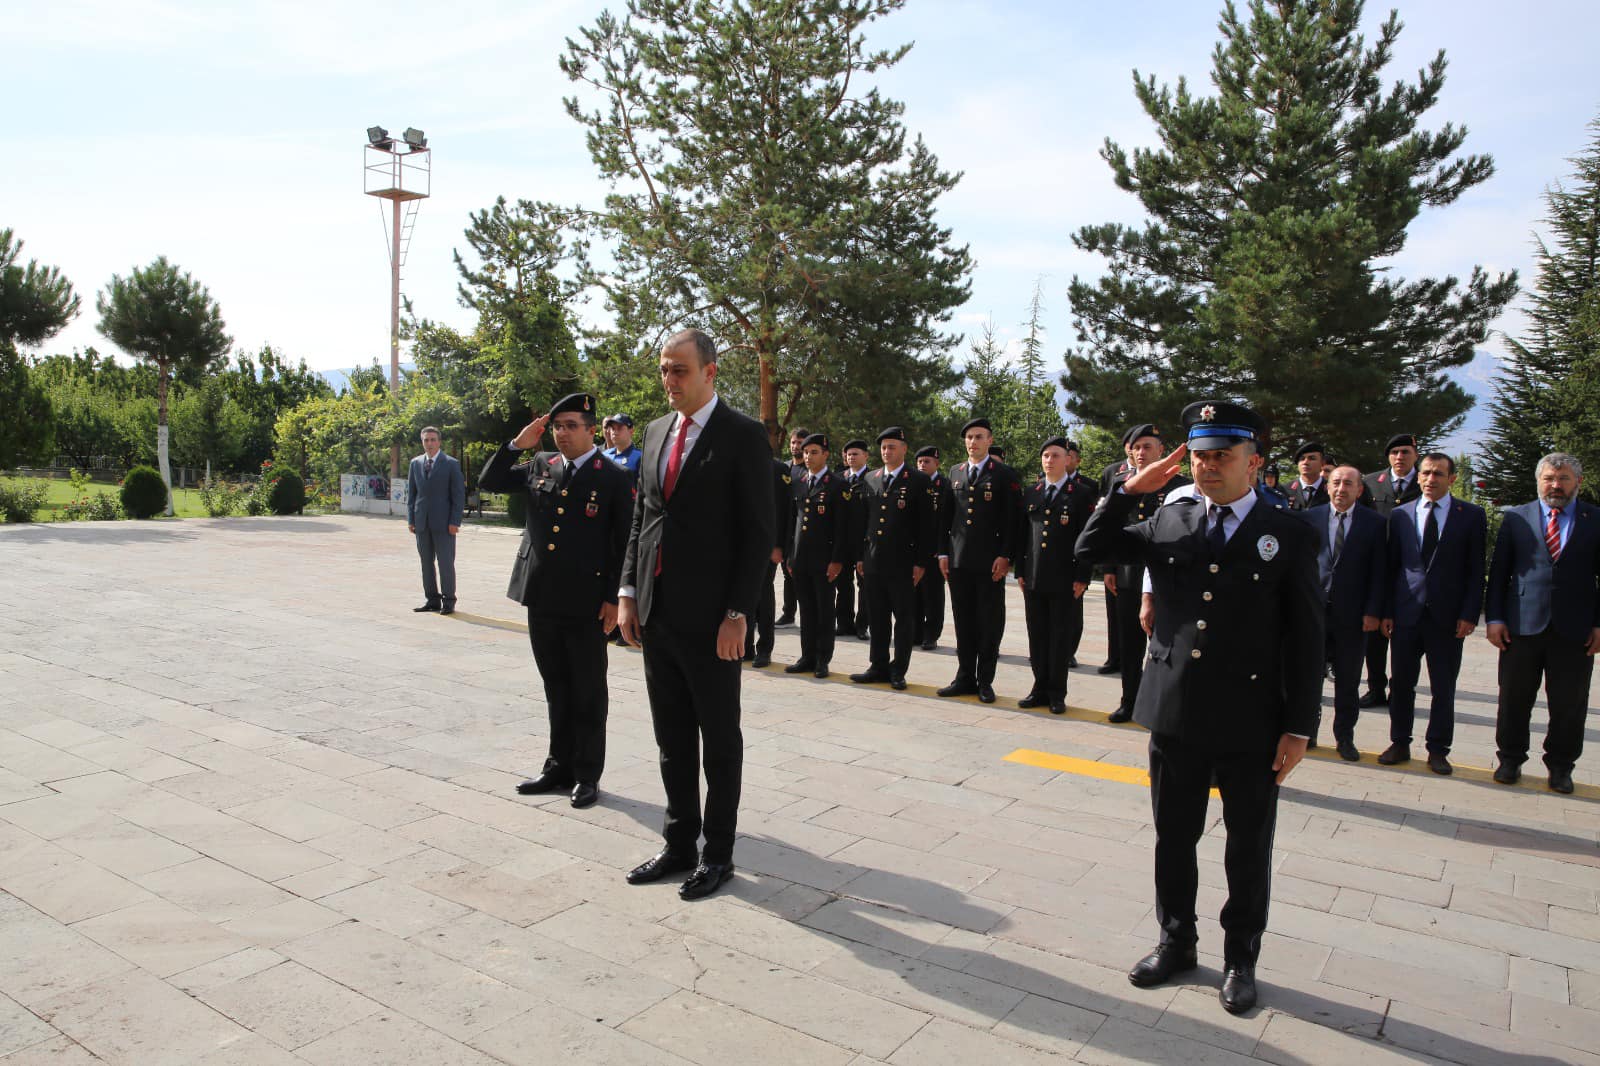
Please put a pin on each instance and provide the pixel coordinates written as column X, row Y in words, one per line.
column 1238, row 647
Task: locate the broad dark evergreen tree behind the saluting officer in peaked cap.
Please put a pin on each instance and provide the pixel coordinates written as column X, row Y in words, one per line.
column 1263, row 273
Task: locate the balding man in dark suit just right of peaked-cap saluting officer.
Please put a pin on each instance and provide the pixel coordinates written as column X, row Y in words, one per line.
column 1351, row 543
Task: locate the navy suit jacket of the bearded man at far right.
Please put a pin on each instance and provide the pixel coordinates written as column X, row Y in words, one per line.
column 1529, row 593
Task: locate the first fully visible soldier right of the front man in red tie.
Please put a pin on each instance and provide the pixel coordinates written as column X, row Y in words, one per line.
column 820, row 551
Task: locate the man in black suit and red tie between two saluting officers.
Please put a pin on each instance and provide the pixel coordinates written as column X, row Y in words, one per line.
column 702, row 540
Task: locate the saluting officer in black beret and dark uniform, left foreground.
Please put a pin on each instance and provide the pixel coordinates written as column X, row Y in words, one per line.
column 567, row 575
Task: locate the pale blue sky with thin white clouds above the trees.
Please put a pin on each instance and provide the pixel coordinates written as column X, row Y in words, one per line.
column 231, row 140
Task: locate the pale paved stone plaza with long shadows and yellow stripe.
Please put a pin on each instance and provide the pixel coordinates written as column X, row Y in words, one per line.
column 255, row 811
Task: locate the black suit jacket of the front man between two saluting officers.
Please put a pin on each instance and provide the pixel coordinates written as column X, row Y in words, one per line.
column 716, row 535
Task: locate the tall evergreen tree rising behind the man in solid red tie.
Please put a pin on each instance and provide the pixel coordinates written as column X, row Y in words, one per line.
column 766, row 193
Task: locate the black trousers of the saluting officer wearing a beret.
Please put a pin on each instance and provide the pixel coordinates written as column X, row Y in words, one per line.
column 570, row 655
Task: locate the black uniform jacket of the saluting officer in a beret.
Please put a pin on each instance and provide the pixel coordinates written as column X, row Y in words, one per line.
column 574, row 539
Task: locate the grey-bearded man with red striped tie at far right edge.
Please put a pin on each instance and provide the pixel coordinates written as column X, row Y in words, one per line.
column 1545, row 619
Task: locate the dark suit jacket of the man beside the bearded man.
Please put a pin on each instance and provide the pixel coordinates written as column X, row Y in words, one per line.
column 1452, row 587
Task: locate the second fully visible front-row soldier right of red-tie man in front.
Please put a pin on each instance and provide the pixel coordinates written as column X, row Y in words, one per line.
column 897, row 551
